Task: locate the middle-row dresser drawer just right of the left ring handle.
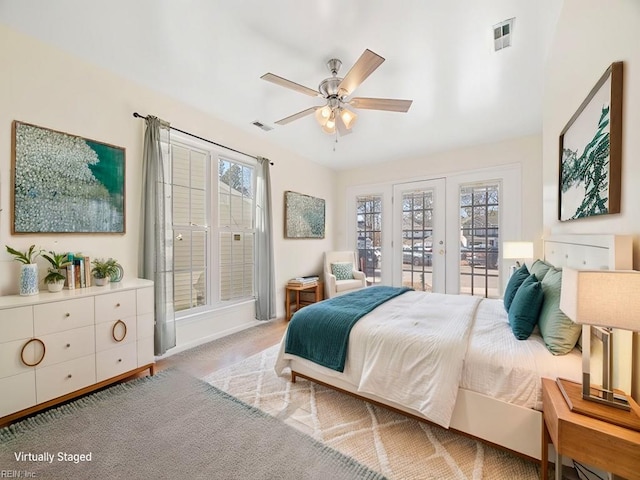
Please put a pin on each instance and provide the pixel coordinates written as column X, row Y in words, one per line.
column 64, row 346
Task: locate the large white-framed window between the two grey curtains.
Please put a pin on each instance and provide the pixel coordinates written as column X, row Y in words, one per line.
column 213, row 226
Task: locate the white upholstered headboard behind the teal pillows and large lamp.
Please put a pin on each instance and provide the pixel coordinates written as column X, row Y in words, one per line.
column 602, row 252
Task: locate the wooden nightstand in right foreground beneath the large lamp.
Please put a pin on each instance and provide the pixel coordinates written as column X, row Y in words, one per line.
column 591, row 441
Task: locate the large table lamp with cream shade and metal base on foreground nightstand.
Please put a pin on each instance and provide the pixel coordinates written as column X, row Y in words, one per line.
column 602, row 299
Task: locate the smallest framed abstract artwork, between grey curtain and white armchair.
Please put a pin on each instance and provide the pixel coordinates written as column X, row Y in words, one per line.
column 304, row 216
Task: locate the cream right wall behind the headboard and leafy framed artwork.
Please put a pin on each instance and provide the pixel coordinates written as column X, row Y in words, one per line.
column 592, row 34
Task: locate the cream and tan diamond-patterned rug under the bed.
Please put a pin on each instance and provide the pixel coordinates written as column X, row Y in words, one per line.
column 397, row 446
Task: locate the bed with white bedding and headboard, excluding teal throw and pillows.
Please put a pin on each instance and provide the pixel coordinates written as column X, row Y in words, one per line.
column 485, row 383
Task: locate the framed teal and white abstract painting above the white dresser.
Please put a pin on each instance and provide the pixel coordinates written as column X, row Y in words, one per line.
column 63, row 183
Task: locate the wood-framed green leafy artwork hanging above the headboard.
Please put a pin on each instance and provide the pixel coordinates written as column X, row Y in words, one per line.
column 591, row 152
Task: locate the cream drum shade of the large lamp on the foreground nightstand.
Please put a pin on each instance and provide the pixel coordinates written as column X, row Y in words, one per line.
column 608, row 298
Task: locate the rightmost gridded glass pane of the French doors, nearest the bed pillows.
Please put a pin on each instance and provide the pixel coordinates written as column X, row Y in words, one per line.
column 480, row 239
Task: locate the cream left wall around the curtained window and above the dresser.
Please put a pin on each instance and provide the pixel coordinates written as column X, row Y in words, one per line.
column 47, row 87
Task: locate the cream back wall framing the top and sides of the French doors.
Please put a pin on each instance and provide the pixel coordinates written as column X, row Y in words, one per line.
column 526, row 151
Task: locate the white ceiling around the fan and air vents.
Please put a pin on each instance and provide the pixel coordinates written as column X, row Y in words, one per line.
column 211, row 54
